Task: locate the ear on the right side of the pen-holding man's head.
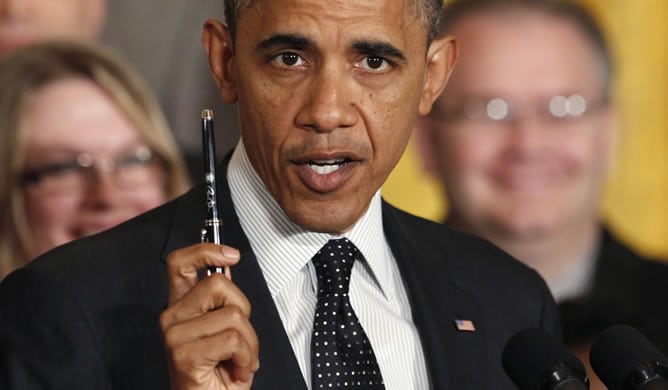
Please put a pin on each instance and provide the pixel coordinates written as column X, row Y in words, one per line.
column 441, row 59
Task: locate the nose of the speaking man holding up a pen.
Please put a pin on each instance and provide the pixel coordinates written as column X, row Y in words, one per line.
column 328, row 102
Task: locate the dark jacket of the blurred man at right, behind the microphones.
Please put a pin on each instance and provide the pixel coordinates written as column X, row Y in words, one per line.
column 627, row 289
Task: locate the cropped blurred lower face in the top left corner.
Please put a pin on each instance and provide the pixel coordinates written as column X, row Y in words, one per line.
column 26, row 21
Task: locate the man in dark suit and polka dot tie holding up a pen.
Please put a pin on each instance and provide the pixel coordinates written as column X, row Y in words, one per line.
column 328, row 94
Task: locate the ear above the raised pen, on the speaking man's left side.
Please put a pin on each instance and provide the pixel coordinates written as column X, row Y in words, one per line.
column 220, row 50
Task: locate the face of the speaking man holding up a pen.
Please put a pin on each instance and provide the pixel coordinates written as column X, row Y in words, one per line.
column 328, row 93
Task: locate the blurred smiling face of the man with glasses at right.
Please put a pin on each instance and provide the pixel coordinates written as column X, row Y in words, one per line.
column 533, row 173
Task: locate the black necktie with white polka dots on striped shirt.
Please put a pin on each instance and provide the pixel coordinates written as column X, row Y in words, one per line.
column 341, row 355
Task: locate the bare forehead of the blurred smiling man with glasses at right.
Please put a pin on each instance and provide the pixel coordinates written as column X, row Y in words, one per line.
column 524, row 51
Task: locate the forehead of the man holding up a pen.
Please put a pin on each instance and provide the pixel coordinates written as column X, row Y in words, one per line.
column 343, row 20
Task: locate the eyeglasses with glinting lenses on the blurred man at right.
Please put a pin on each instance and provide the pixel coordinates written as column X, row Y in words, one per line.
column 498, row 111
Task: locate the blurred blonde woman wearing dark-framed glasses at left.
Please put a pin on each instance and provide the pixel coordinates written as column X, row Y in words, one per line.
column 83, row 146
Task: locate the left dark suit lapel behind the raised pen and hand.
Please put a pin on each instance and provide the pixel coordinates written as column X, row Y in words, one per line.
column 278, row 365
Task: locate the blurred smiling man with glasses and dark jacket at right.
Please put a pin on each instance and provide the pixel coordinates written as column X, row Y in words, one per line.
column 522, row 139
